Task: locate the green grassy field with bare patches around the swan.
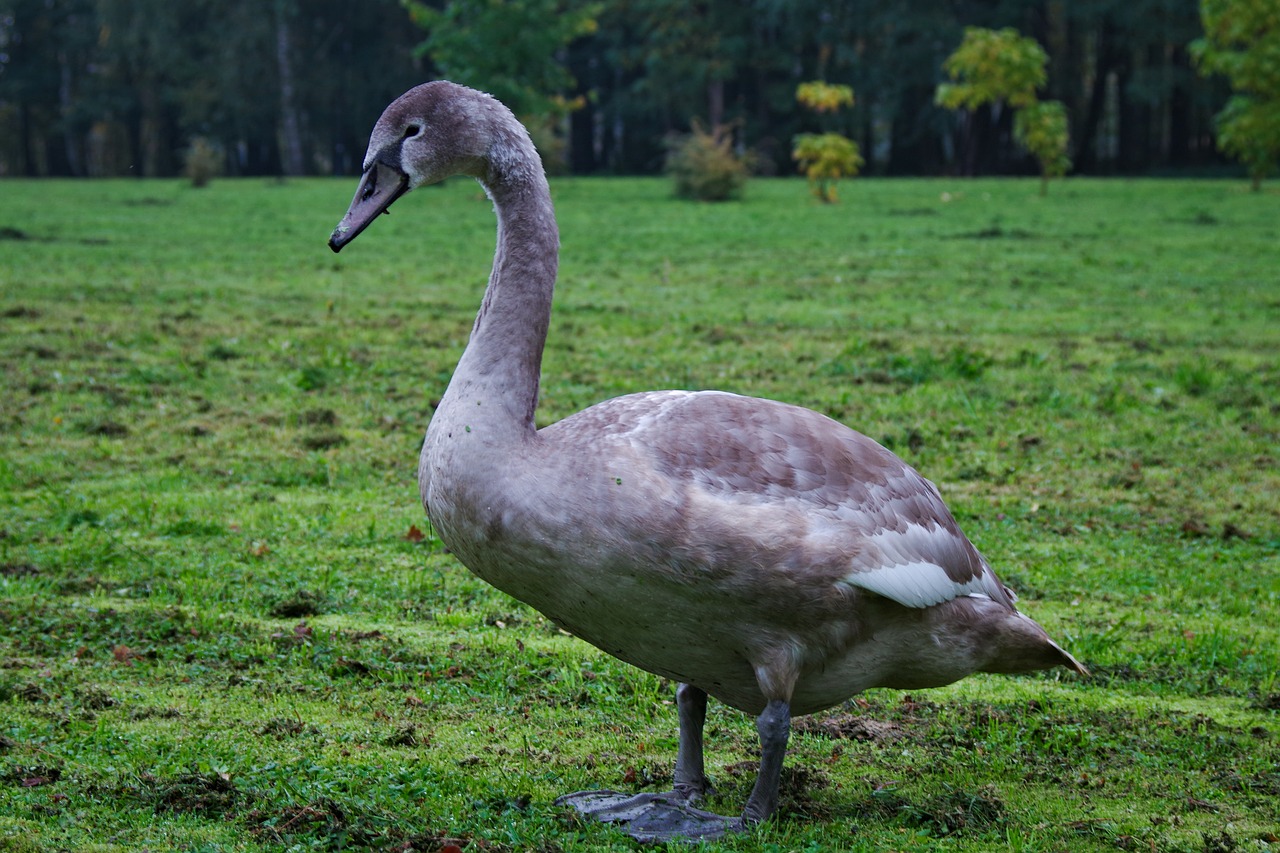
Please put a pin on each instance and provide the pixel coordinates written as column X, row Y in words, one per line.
column 226, row 624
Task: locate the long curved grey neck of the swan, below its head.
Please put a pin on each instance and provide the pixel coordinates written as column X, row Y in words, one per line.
column 501, row 368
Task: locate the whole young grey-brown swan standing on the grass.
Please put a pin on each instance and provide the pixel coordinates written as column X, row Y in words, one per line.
column 748, row 550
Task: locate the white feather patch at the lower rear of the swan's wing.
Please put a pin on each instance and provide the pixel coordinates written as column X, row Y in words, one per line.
column 904, row 567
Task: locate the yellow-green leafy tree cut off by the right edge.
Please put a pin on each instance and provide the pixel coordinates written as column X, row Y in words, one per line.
column 1242, row 43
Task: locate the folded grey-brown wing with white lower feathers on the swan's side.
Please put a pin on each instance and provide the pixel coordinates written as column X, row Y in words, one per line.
column 857, row 513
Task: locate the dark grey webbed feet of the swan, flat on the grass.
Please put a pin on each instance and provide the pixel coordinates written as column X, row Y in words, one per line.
column 652, row 818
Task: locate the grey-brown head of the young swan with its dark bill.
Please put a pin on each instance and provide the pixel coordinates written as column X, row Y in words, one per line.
column 429, row 134
